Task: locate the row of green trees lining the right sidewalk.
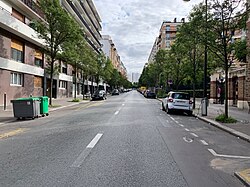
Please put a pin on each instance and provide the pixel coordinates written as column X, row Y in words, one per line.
column 212, row 26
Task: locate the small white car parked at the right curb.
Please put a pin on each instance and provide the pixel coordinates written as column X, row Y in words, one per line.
column 177, row 101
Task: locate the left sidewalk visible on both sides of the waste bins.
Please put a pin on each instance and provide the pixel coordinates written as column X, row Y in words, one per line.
column 8, row 116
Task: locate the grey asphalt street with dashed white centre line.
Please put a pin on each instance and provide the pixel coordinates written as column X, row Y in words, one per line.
column 126, row 140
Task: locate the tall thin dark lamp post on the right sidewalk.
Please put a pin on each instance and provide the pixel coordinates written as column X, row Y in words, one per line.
column 205, row 99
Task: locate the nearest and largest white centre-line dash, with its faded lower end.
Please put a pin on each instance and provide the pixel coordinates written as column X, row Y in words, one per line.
column 86, row 151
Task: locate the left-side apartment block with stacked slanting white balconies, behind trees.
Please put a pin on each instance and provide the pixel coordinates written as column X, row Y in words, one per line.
column 86, row 15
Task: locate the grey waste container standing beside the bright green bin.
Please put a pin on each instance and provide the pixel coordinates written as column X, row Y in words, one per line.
column 26, row 107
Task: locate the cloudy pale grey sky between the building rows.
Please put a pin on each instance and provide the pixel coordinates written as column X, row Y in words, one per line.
column 134, row 24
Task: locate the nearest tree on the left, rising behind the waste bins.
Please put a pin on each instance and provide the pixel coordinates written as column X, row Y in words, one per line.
column 57, row 29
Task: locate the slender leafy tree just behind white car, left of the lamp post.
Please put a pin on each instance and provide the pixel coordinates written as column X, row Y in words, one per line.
column 189, row 36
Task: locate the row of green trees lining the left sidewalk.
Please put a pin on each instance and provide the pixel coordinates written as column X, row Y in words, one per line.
column 64, row 40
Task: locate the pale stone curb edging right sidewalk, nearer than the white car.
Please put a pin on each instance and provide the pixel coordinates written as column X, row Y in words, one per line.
column 227, row 129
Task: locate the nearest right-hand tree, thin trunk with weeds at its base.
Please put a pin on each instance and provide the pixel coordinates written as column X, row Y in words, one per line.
column 227, row 16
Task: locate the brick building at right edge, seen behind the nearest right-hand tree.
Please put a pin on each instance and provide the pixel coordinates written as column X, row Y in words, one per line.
column 238, row 76
